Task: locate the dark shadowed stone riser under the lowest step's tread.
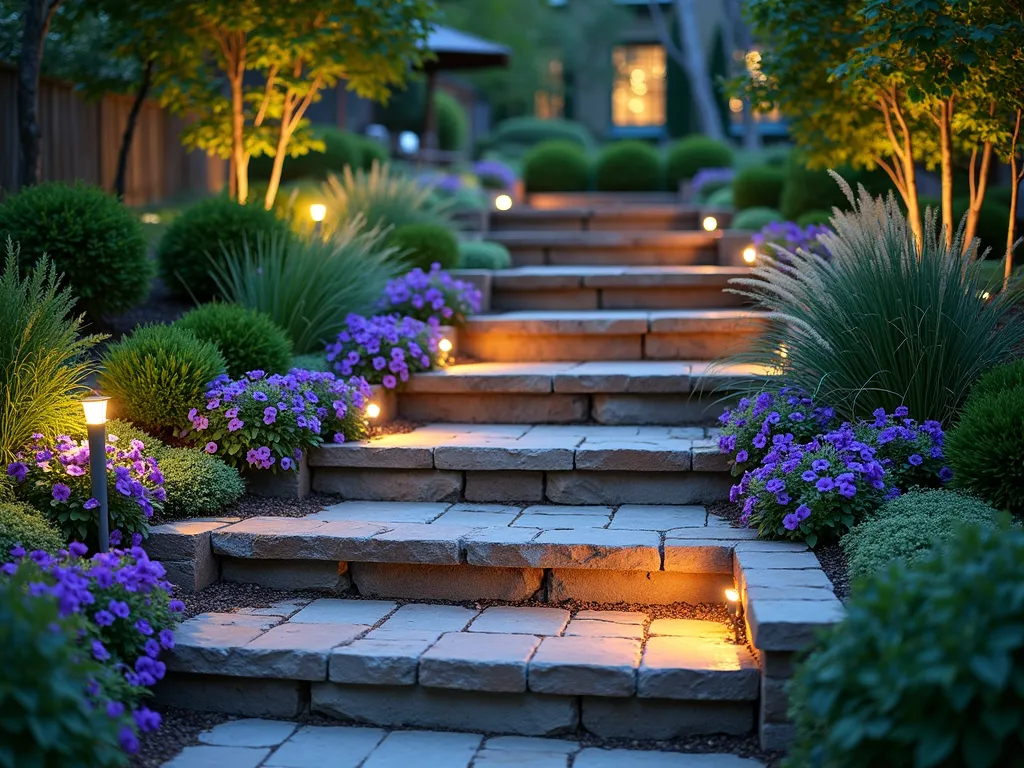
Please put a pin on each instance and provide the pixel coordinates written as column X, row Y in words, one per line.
column 522, row 714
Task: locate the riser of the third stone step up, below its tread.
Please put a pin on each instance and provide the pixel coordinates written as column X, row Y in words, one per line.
column 573, row 488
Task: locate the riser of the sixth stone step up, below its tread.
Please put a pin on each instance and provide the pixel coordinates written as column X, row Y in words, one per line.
column 711, row 297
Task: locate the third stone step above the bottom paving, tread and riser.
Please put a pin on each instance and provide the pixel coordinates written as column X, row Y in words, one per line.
column 502, row 463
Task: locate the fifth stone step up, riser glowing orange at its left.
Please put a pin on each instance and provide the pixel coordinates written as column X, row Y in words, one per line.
column 610, row 335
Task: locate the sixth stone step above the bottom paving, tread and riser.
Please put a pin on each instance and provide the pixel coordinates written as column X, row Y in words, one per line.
column 615, row 288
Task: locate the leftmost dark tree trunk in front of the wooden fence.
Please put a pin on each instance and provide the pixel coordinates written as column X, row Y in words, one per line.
column 37, row 16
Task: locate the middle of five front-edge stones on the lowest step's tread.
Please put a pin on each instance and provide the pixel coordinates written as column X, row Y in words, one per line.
column 468, row 661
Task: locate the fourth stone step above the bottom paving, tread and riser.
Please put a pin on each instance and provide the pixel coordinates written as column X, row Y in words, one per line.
column 615, row 393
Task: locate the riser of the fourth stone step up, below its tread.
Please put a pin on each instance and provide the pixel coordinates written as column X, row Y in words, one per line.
column 558, row 408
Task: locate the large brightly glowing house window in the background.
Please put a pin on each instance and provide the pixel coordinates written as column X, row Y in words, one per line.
column 638, row 91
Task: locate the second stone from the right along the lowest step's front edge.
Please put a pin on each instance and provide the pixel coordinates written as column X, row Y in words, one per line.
column 600, row 667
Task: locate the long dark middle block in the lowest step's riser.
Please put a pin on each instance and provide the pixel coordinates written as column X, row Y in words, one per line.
column 525, row 714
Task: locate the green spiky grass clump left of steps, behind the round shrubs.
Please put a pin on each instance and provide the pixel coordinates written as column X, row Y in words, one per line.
column 310, row 286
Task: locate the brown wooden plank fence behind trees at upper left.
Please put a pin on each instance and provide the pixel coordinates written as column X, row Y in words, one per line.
column 81, row 140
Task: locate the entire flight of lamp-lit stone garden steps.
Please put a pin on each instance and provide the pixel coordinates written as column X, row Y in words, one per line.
column 474, row 562
